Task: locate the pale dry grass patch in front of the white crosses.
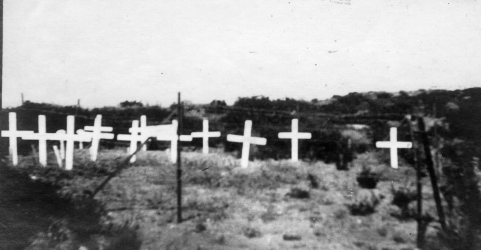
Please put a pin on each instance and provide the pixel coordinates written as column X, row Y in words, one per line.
column 228, row 207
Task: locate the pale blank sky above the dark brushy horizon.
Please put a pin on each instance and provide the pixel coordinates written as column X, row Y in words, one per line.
column 105, row 52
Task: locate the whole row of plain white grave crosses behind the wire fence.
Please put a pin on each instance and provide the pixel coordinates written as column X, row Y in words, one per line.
column 160, row 132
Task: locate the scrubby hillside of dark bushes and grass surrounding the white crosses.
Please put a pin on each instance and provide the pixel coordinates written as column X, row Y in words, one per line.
column 322, row 199
